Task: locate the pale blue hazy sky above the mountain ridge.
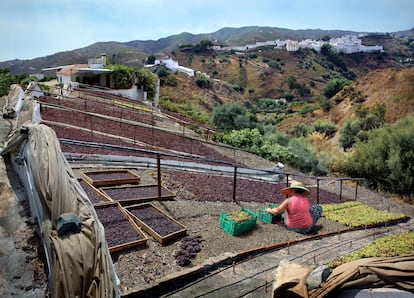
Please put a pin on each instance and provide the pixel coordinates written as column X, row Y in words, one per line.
column 35, row 28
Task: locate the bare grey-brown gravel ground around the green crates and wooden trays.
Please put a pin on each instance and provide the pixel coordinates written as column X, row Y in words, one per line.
column 145, row 265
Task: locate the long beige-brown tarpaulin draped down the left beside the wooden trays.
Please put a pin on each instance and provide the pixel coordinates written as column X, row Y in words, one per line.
column 81, row 263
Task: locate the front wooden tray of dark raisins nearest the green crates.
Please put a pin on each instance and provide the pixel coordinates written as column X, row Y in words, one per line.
column 177, row 229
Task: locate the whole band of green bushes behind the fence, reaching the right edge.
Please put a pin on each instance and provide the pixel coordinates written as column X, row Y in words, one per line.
column 382, row 154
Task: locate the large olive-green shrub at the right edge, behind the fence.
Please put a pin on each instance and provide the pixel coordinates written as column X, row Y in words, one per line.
column 386, row 159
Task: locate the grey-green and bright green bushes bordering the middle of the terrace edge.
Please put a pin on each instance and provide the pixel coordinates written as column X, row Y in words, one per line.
column 240, row 128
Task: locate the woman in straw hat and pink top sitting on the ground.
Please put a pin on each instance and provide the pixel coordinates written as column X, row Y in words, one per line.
column 299, row 216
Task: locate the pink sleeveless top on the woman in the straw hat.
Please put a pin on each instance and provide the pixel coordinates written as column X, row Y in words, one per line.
column 298, row 215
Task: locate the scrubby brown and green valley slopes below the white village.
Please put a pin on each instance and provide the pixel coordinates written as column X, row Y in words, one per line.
column 312, row 132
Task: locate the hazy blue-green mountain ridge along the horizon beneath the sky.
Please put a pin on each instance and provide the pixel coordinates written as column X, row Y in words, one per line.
column 135, row 52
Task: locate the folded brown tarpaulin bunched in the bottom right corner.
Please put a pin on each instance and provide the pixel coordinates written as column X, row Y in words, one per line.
column 395, row 272
